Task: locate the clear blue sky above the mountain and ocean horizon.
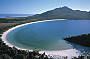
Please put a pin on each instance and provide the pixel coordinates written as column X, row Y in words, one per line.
column 40, row 6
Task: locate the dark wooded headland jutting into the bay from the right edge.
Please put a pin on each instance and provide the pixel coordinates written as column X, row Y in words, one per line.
column 83, row 39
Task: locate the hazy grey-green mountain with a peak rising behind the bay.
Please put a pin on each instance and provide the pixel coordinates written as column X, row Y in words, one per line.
column 62, row 13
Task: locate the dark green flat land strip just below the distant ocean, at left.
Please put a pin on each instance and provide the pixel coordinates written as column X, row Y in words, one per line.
column 17, row 20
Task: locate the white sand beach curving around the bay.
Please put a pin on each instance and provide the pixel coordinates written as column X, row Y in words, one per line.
column 52, row 53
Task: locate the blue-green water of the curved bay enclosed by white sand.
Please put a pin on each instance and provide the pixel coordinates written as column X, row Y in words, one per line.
column 49, row 35
